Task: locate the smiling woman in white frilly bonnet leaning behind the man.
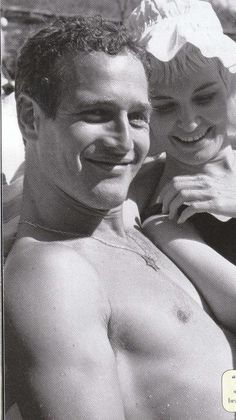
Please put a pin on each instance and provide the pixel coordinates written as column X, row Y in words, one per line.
column 191, row 88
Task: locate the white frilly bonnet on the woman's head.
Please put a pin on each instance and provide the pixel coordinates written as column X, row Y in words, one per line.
column 164, row 26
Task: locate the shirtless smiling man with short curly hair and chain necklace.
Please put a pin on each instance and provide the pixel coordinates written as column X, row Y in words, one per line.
column 100, row 324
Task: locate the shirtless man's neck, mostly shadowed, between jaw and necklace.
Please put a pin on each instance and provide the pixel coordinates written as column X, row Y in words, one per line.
column 48, row 206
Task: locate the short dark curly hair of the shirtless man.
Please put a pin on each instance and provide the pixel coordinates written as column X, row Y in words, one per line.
column 37, row 72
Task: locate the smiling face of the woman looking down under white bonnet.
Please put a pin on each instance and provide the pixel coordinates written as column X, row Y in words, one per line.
column 190, row 116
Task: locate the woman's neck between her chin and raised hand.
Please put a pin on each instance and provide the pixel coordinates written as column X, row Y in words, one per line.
column 221, row 164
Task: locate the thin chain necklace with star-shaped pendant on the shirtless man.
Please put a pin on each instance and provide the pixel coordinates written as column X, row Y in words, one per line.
column 150, row 261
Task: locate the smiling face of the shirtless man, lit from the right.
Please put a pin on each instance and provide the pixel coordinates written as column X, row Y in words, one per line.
column 100, row 136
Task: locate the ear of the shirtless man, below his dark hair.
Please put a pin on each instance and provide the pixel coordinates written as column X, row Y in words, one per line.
column 28, row 114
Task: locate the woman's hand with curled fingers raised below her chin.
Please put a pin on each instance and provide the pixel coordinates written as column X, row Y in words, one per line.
column 200, row 193
